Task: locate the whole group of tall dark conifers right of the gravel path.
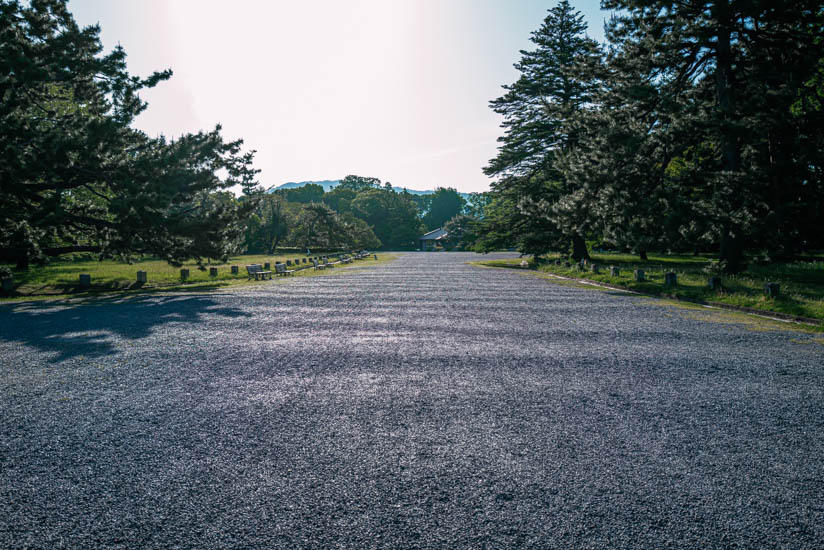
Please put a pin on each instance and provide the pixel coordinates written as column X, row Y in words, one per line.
column 697, row 126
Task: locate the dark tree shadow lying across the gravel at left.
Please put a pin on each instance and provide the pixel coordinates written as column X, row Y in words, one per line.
column 90, row 328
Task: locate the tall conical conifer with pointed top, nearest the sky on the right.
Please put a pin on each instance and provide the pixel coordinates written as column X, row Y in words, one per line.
column 536, row 111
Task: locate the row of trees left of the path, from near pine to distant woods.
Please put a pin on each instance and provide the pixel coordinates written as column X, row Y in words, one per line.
column 75, row 176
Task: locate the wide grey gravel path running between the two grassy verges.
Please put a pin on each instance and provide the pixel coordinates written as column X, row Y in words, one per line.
column 423, row 403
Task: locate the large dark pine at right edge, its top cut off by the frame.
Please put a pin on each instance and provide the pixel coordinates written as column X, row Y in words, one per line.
column 727, row 73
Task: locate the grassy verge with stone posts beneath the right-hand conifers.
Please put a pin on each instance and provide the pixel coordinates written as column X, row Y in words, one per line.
column 802, row 283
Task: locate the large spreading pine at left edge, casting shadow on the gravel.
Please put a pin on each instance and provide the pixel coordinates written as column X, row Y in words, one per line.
column 74, row 174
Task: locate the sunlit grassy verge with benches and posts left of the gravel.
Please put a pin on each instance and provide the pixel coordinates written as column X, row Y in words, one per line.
column 61, row 278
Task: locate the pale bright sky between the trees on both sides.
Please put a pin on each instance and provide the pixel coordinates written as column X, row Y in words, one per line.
column 393, row 89
